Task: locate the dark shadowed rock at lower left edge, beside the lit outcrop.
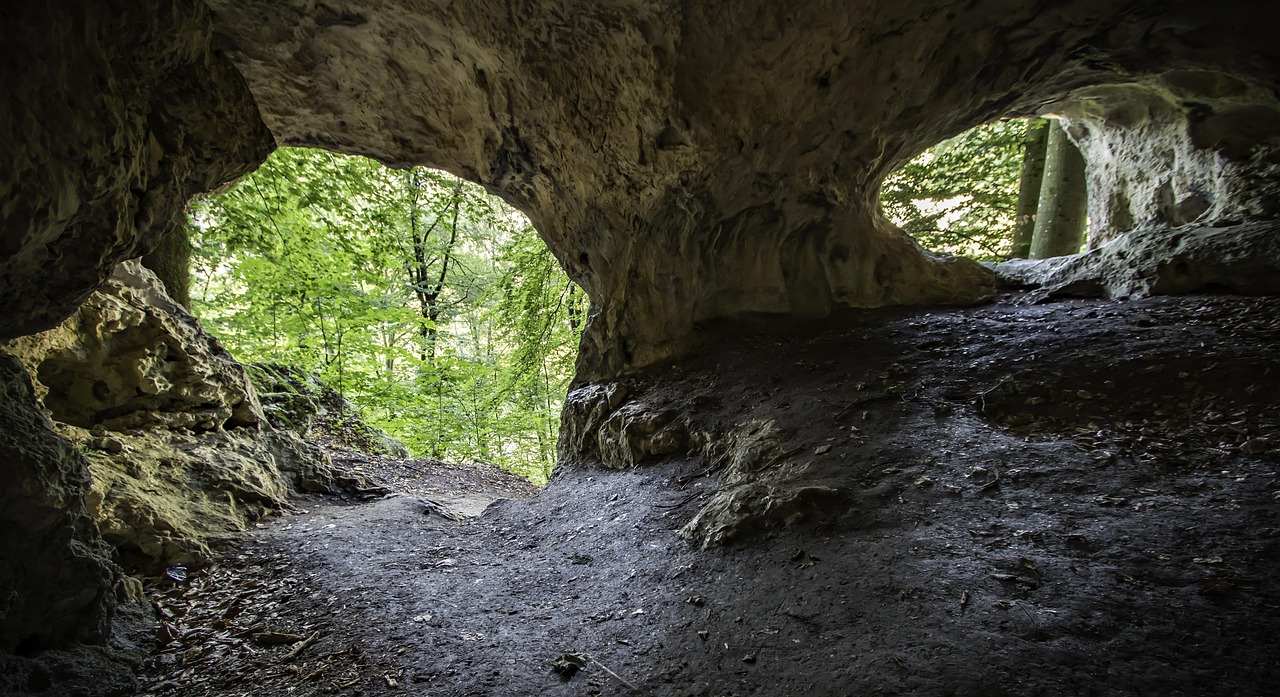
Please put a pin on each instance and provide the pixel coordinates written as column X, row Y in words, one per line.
column 57, row 580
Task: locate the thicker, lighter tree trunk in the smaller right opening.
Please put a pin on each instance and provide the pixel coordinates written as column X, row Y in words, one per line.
column 1064, row 199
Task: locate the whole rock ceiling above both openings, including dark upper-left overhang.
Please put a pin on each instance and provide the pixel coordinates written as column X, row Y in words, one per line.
column 685, row 162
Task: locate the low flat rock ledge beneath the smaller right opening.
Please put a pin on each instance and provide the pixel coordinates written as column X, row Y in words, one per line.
column 1242, row 259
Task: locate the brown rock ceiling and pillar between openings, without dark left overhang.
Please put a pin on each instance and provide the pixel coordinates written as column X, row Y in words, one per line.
column 691, row 162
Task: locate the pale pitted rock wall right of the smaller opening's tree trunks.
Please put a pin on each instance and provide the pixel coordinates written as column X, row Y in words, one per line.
column 1187, row 146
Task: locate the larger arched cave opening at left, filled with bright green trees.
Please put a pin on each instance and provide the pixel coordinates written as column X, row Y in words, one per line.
column 405, row 308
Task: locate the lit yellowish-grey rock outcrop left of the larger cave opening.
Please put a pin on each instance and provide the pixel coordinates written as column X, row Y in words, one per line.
column 181, row 456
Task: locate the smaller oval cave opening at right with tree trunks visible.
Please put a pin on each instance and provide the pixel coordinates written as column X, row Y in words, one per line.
column 1012, row 189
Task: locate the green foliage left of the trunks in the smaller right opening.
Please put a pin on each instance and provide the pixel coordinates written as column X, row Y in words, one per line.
column 961, row 196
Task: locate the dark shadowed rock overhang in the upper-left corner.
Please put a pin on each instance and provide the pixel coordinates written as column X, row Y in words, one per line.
column 115, row 114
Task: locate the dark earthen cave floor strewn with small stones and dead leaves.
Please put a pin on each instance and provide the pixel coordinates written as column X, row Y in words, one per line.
column 1073, row 498
